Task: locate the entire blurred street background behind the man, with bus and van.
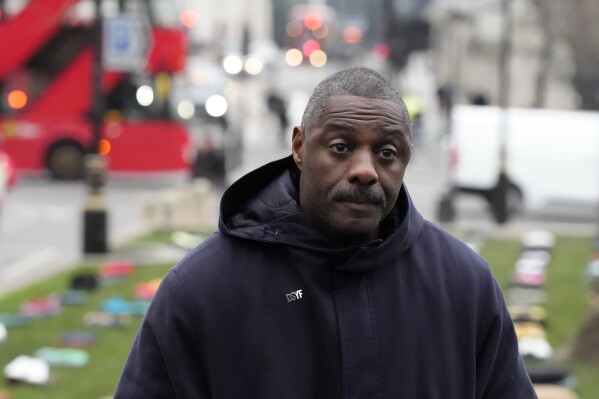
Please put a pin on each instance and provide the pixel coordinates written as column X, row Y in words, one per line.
column 145, row 111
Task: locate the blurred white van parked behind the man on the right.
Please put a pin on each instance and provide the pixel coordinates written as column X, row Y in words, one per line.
column 552, row 156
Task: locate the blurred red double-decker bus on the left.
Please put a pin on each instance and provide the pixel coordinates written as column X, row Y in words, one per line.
column 46, row 91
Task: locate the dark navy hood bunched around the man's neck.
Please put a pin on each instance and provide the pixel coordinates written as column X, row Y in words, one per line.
column 264, row 206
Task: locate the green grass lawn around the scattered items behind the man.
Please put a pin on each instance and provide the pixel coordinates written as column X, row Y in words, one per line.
column 566, row 305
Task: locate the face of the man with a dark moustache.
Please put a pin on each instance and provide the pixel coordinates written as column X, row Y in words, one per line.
column 352, row 166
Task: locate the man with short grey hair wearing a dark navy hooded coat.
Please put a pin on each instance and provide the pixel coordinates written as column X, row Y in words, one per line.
column 323, row 280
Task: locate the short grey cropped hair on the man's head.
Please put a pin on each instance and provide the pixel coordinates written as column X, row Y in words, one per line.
column 357, row 81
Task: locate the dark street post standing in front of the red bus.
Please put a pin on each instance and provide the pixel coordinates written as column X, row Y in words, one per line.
column 94, row 215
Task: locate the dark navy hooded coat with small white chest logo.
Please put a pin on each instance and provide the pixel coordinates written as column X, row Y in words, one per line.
column 269, row 307
